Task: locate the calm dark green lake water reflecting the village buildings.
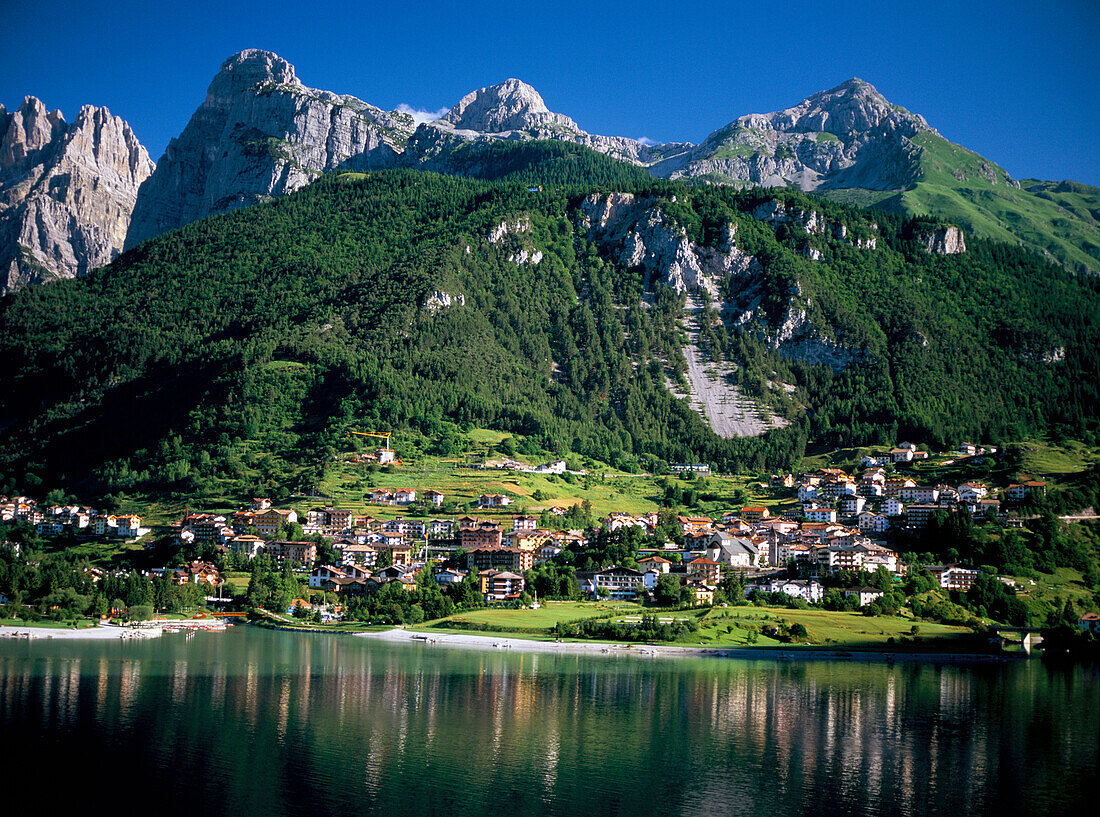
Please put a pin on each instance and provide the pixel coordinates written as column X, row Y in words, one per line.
column 260, row 723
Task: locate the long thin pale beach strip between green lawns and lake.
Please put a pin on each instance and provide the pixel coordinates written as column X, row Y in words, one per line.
column 489, row 642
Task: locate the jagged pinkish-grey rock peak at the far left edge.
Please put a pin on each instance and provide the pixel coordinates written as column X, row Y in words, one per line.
column 67, row 192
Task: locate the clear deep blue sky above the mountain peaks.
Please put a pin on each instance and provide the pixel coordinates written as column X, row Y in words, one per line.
column 1014, row 81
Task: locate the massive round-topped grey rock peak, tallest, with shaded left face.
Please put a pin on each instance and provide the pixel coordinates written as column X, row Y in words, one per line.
column 259, row 135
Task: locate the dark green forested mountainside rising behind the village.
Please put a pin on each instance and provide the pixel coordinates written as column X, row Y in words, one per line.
column 237, row 354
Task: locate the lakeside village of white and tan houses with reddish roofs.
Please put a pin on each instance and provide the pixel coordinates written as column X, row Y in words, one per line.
column 838, row 535
